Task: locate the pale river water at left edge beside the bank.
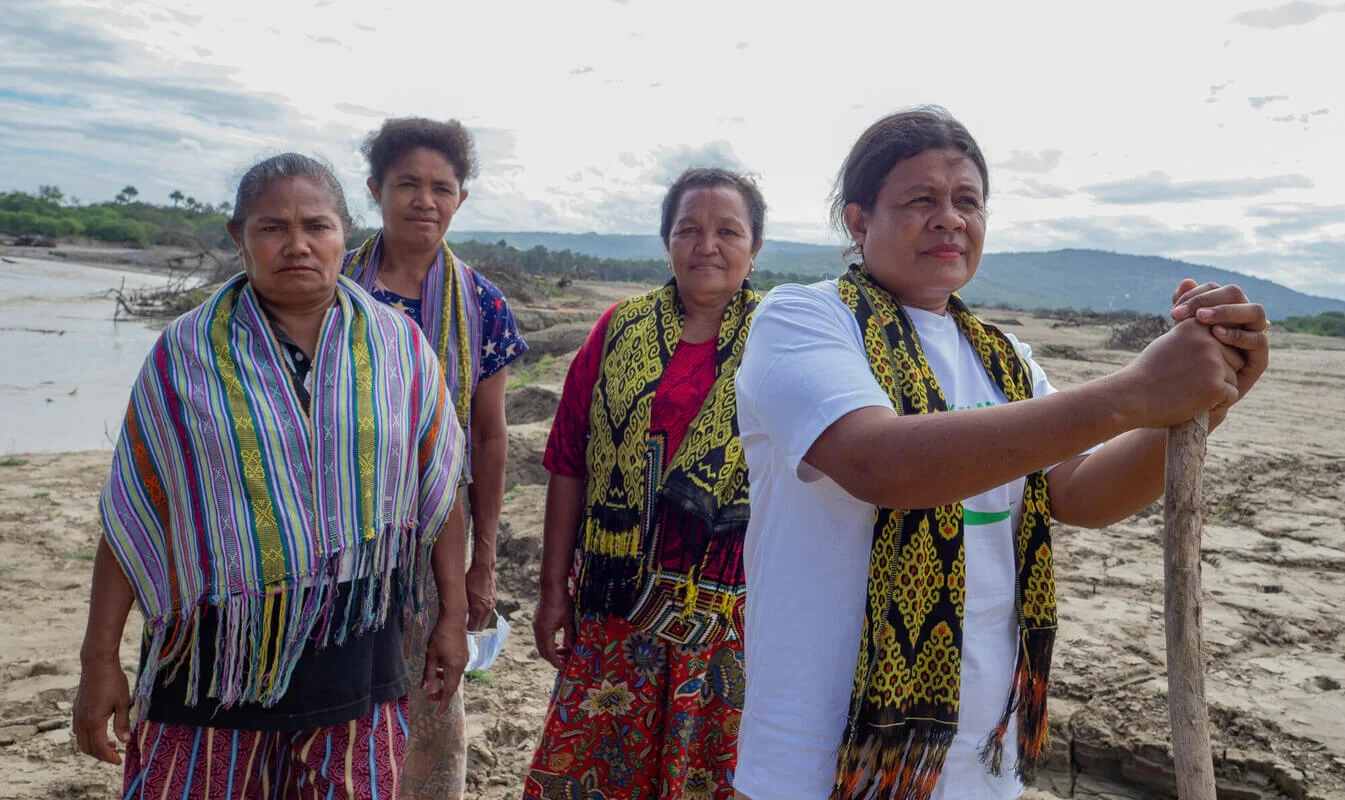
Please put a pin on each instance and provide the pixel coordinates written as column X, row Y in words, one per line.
column 67, row 366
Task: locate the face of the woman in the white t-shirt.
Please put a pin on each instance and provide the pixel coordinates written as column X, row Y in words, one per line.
column 923, row 237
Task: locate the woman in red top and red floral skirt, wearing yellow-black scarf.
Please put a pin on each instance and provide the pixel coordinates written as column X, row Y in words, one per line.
column 642, row 560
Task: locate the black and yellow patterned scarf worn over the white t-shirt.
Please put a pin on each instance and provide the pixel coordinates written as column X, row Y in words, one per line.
column 905, row 708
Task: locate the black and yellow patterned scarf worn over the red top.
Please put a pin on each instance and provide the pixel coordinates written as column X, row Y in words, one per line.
column 707, row 478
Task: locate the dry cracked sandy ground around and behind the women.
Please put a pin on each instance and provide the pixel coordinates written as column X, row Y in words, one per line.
column 1273, row 575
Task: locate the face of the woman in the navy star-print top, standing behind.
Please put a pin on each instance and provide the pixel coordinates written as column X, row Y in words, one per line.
column 419, row 197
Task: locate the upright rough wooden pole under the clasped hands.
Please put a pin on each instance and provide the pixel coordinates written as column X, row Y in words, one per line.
column 1184, row 509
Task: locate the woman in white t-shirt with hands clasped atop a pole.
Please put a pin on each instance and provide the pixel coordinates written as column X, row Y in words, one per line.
column 900, row 611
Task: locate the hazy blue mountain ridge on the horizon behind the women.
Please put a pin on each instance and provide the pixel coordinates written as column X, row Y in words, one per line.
column 1058, row 279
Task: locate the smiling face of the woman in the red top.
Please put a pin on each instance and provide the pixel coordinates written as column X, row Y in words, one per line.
column 711, row 244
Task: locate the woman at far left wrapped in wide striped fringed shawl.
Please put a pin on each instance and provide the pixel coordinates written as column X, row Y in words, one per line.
column 284, row 485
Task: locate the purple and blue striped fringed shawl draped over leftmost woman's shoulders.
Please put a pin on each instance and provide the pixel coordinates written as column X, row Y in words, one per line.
column 225, row 494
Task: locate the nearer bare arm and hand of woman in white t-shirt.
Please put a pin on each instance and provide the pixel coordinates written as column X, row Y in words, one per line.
column 927, row 461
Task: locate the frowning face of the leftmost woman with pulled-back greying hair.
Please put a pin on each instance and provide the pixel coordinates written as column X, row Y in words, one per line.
column 294, row 244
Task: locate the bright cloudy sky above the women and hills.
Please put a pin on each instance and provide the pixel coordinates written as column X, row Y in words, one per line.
column 1207, row 131
